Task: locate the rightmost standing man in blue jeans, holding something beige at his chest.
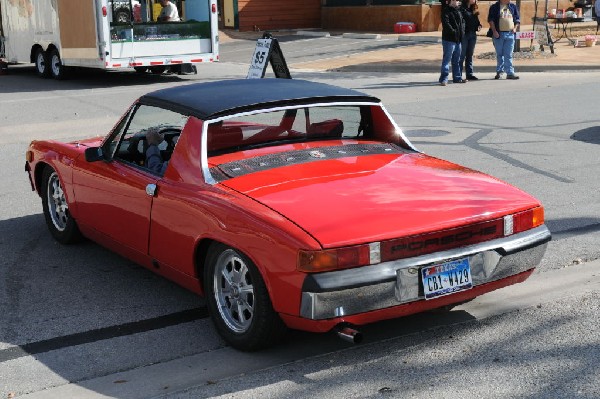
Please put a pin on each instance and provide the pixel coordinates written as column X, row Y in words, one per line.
column 504, row 21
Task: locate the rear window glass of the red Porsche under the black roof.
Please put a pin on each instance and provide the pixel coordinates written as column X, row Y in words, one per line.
column 331, row 122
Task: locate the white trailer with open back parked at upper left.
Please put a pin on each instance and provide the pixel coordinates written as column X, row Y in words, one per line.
column 56, row 35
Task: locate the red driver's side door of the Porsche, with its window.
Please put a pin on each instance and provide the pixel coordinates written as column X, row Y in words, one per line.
column 114, row 195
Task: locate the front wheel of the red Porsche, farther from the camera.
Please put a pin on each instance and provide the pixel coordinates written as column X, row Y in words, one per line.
column 56, row 210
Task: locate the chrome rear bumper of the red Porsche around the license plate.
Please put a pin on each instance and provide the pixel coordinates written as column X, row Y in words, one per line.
column 353, row 291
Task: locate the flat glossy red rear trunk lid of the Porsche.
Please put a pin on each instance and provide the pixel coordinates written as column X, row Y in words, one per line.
column 376, row 197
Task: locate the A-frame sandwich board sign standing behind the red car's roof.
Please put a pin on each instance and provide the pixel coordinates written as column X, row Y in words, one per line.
column 268, row 51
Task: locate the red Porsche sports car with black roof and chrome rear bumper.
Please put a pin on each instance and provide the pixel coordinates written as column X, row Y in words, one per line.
column 287, row 204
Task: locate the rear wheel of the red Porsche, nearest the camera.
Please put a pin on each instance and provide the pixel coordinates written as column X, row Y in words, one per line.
column 257, row 326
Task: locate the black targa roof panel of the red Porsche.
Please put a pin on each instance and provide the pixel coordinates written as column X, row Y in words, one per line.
column 214, row 99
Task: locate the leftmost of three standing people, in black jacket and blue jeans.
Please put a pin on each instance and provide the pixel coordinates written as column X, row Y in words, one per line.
column 453, row 30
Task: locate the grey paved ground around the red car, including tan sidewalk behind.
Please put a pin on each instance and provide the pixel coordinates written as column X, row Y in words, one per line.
column 539, row 339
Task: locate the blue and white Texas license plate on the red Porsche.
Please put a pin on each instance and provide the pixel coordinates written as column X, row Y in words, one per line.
column 446, row 278
